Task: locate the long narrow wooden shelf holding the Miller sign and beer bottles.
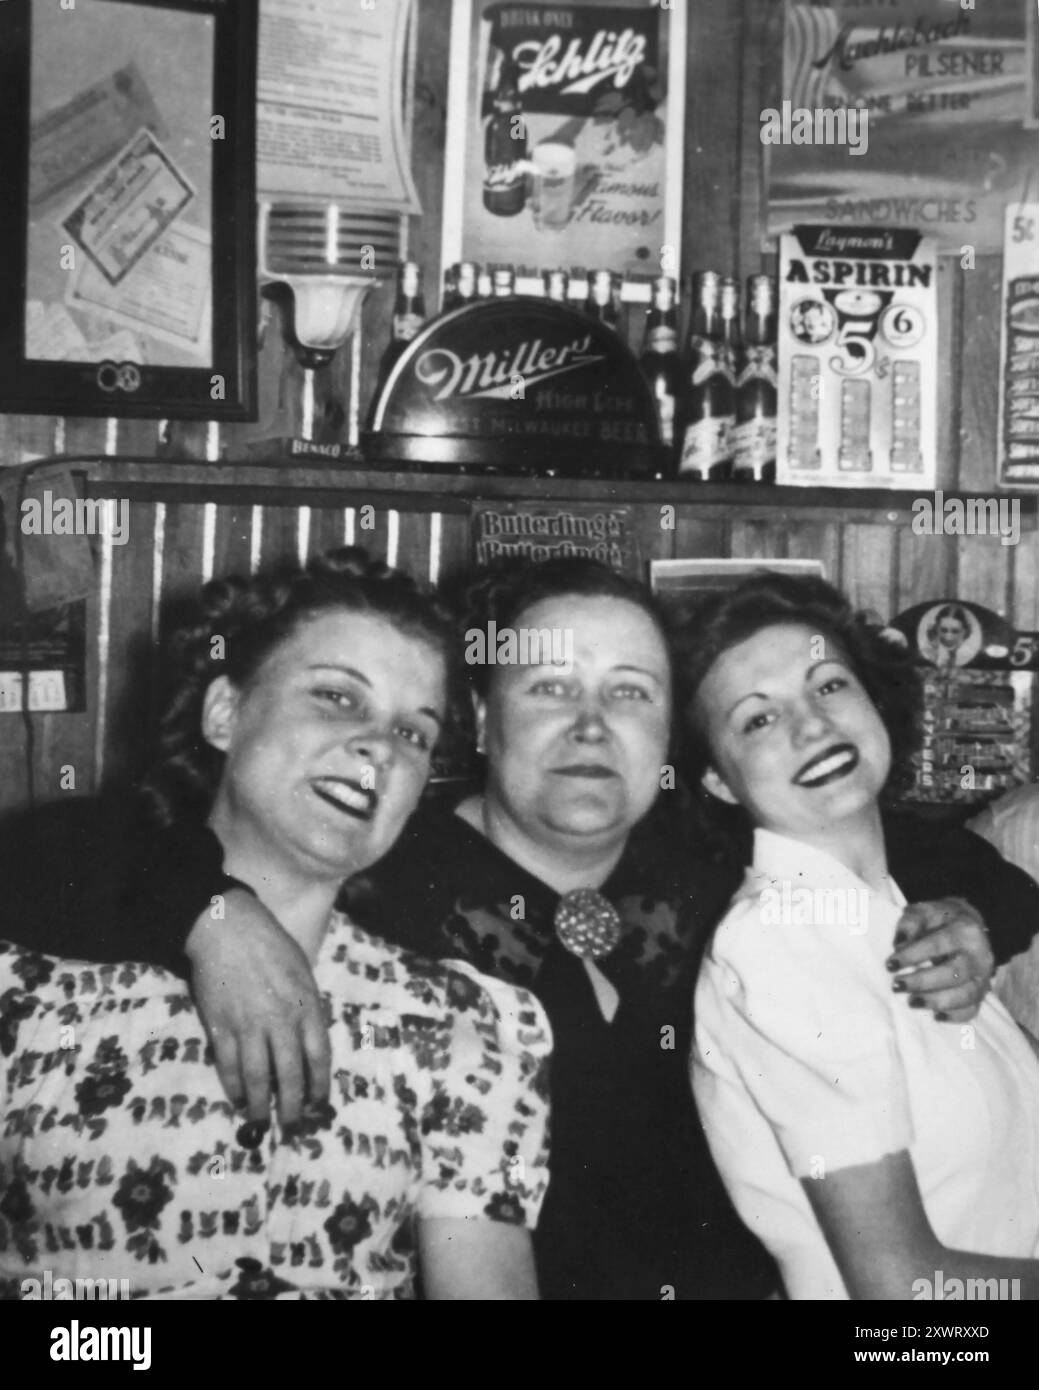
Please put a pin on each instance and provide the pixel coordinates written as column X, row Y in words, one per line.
column 337, row 484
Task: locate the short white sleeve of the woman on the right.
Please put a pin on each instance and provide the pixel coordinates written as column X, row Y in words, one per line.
column 792, row 1014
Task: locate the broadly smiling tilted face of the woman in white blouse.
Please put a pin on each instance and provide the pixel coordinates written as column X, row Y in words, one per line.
column 795, row 737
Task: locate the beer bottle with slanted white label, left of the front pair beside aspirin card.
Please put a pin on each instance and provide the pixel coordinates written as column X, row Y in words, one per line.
column 709, row 405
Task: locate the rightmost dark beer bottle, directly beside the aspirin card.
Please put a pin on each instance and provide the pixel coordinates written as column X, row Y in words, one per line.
column 755, row 436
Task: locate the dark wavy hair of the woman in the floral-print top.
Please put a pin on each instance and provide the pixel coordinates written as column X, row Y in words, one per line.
column 237, row 623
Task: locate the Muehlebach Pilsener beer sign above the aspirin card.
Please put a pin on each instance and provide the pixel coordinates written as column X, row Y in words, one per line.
column 945, row 90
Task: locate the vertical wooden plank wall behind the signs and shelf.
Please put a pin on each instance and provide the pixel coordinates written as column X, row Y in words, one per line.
column 732, row 74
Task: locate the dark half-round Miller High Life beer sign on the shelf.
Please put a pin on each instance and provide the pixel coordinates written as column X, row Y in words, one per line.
column 525, row 386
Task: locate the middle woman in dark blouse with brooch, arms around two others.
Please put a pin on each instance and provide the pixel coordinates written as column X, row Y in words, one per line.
column 578, row 757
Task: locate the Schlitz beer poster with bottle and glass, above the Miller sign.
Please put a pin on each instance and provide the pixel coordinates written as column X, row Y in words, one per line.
column 565, row 140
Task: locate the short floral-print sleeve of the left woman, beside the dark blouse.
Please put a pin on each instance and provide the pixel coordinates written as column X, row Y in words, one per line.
column 485, row 1127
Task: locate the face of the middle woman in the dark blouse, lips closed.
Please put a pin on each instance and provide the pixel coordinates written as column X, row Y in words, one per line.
column 575, row 754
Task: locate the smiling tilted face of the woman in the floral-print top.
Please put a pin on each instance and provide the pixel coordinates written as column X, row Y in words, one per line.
column 328, row 746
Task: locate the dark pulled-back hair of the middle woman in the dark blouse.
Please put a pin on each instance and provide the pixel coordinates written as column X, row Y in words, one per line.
column 508, row 590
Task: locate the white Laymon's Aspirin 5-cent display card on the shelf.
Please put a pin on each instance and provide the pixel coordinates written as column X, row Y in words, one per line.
column 857, row 358
